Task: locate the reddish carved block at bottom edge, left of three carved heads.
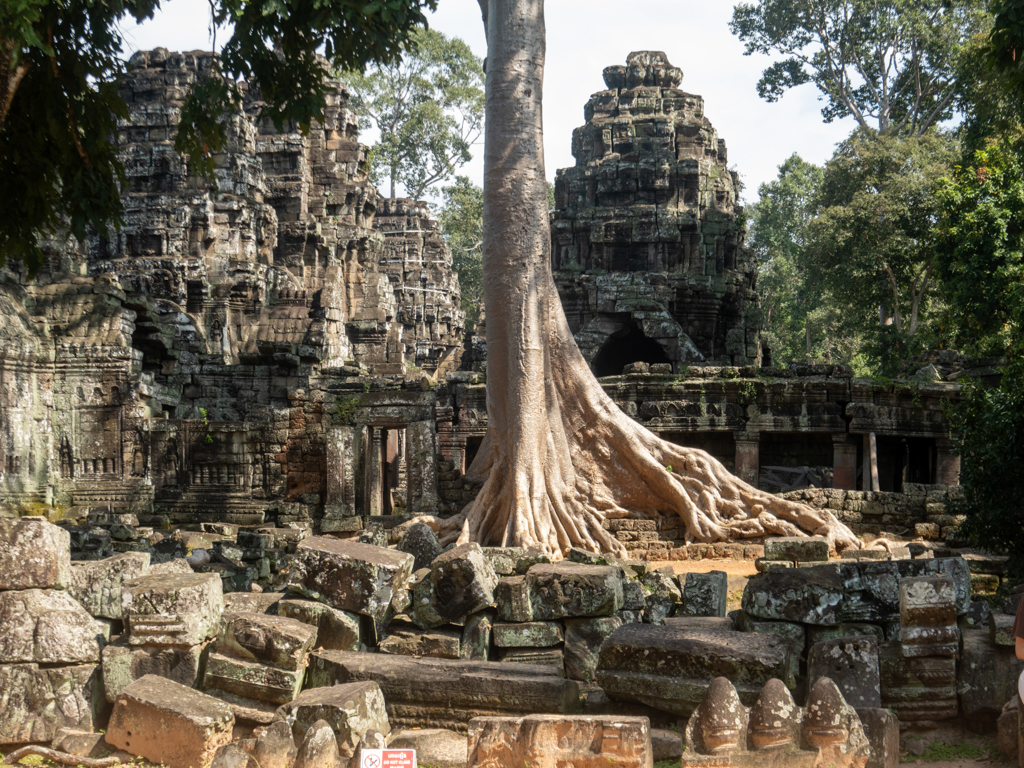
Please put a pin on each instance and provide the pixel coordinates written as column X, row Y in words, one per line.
column 582, row 742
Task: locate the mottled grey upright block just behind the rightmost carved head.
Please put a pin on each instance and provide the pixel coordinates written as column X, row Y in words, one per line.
column 852, row 664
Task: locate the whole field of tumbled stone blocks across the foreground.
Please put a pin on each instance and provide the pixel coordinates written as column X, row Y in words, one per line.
column 825, row 664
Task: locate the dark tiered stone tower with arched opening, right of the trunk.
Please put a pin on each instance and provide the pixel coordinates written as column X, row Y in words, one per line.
column 648, row 245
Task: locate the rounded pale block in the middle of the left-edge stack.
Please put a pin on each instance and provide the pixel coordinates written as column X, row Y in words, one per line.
column 49, row 627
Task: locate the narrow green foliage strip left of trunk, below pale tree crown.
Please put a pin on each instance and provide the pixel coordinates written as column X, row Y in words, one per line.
column 462, row 226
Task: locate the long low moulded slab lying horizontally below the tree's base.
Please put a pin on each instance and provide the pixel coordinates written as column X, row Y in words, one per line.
column 437, row 693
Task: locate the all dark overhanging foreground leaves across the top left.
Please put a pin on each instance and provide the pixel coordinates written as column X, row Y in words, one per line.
column 60, row 64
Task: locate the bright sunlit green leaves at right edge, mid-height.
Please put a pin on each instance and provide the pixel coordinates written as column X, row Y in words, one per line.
column 980, row 254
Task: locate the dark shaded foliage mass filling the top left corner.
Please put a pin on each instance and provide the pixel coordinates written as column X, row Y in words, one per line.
column 59, row 65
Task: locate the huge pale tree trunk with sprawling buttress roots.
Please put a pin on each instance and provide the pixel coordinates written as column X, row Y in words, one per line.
column 561, row 457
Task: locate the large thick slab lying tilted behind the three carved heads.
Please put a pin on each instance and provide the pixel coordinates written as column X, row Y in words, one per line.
column 670, row 668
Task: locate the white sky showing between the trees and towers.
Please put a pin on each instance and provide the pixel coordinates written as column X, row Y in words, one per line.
column 586, row 36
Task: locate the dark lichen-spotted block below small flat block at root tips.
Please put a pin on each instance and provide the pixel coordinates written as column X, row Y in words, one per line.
column 799, row 595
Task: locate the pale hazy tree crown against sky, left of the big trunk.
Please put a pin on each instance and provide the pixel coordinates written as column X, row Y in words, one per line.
column 429, row 108
